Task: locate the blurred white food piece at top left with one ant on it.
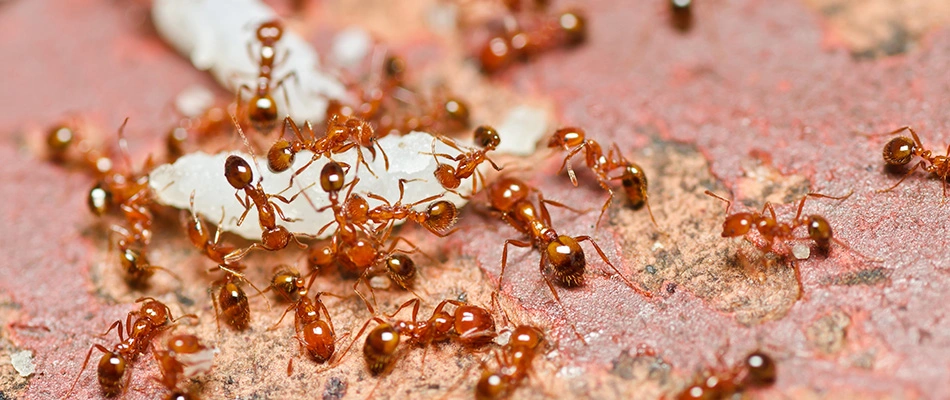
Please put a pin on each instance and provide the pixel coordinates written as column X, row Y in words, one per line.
column 216, row 36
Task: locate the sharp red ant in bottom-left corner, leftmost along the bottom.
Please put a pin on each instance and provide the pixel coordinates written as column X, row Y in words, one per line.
column 151, row 319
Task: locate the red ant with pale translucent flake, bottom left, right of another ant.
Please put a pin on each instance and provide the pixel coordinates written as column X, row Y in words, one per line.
column 184, row 358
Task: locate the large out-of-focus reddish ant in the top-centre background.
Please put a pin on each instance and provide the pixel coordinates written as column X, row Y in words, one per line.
column 522, row 39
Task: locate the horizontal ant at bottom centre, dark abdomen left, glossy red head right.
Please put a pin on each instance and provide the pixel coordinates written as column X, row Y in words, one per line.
column 470, row 325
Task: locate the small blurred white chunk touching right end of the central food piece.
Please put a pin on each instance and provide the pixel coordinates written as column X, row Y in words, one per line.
column 521, row 130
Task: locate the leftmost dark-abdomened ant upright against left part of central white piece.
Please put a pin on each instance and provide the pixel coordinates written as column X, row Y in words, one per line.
column 273, row 237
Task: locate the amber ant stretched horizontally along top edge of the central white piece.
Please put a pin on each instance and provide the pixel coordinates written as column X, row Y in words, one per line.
column 340, row 128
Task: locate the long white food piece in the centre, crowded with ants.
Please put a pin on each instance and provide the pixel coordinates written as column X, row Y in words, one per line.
column 203, row 174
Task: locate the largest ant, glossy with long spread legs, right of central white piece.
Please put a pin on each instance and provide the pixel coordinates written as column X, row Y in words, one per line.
column 562, row 254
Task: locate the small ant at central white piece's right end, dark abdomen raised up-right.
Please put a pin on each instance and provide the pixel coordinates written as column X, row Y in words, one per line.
column 468, row 161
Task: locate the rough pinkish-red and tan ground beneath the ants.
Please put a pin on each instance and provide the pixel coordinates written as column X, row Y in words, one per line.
column 762, row 101
